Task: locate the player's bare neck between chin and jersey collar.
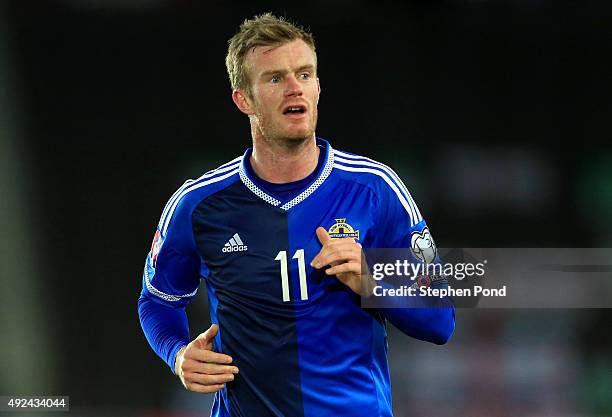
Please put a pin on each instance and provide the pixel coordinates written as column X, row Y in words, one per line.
column 282, row 162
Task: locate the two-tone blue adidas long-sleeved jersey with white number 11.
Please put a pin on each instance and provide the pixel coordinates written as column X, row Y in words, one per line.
column 302, row 342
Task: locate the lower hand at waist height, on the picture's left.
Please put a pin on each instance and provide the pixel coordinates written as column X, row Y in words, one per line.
column 202, row 370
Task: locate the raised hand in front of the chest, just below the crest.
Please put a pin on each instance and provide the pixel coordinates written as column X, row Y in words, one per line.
column 344, row 256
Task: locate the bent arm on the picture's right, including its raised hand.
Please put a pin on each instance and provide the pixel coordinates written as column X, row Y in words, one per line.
column 399, row 224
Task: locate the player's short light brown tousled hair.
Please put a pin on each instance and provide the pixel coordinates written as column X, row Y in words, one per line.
column 262, row 30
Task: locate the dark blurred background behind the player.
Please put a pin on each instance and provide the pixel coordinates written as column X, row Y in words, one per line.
column 495, row 113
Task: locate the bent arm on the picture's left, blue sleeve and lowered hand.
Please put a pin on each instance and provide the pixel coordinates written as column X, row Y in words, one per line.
column 170, row 280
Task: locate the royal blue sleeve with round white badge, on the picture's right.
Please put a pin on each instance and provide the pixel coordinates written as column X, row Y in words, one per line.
column 401, row 225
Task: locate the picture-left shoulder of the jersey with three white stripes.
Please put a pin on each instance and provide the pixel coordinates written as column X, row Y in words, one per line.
column 193, row 191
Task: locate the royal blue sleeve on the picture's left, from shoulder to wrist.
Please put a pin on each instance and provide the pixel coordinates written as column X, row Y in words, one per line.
column 170, row 280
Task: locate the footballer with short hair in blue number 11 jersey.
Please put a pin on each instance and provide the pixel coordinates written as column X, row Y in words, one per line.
column 276, row 235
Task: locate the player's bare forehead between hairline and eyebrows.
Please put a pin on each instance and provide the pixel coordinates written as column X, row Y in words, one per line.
column 285, row 57
